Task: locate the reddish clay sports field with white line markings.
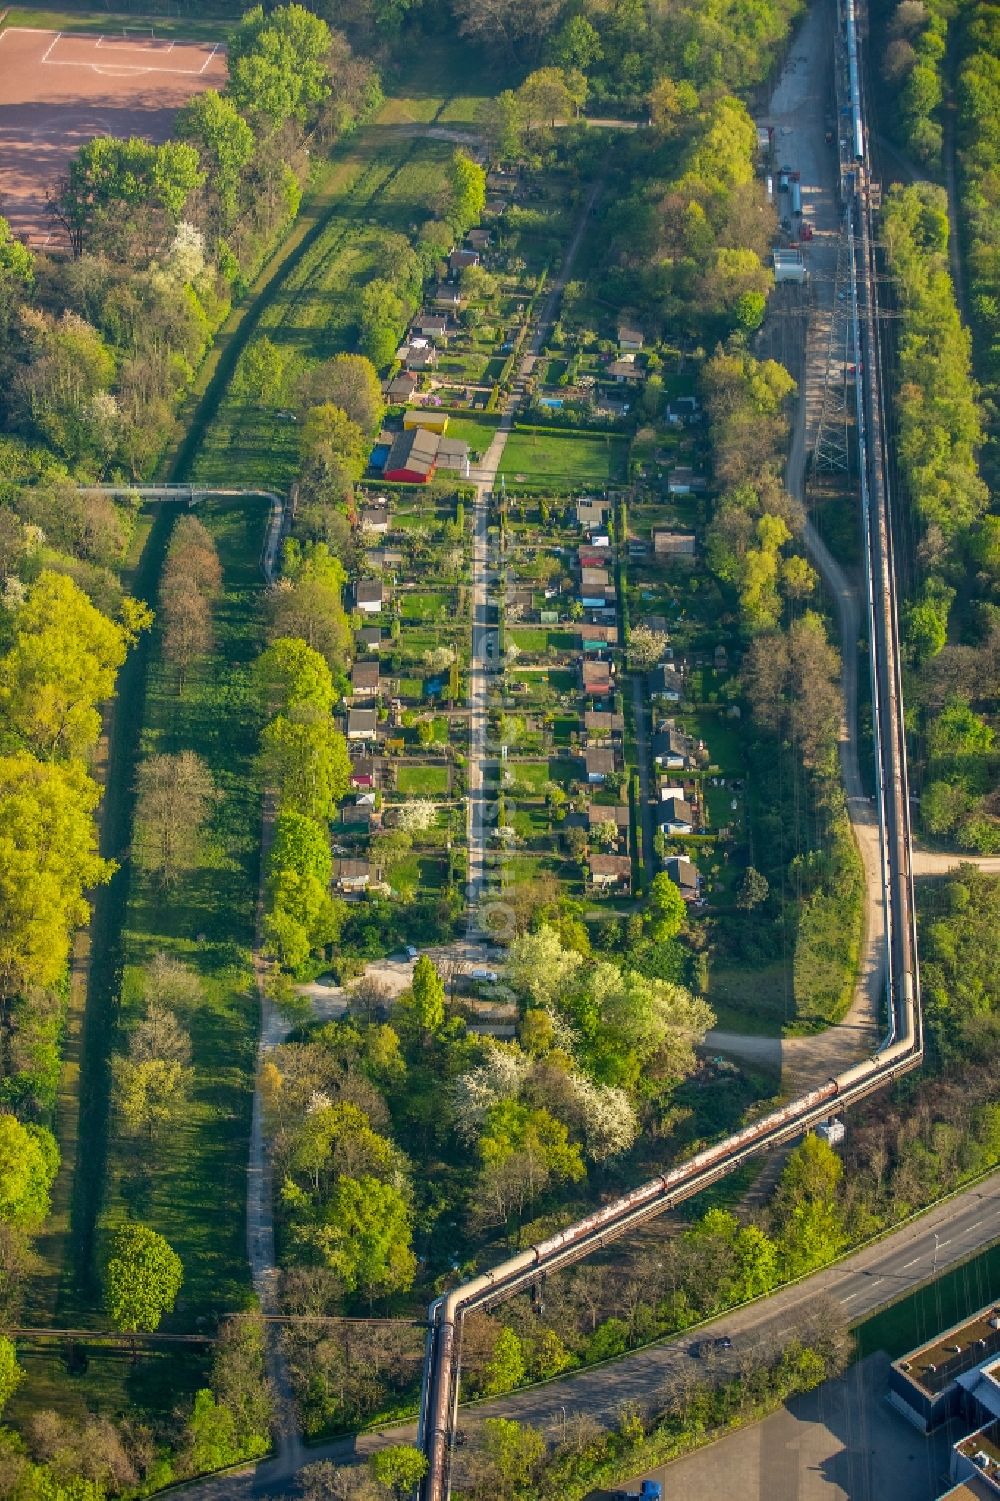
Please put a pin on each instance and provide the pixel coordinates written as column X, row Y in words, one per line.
column 59, row 89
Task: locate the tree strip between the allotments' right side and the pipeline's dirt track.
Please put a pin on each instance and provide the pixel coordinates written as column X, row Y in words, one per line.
column 813, row 883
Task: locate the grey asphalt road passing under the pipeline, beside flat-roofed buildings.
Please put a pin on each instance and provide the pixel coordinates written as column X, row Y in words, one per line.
column 861, row 1284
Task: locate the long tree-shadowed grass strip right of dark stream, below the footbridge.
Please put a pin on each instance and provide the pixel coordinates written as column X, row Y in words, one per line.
column 194, row 1190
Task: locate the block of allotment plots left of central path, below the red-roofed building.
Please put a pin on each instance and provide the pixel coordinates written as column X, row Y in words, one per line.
column 402, row 828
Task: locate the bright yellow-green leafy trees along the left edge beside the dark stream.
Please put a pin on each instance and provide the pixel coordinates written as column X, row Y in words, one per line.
column 61, row 664
